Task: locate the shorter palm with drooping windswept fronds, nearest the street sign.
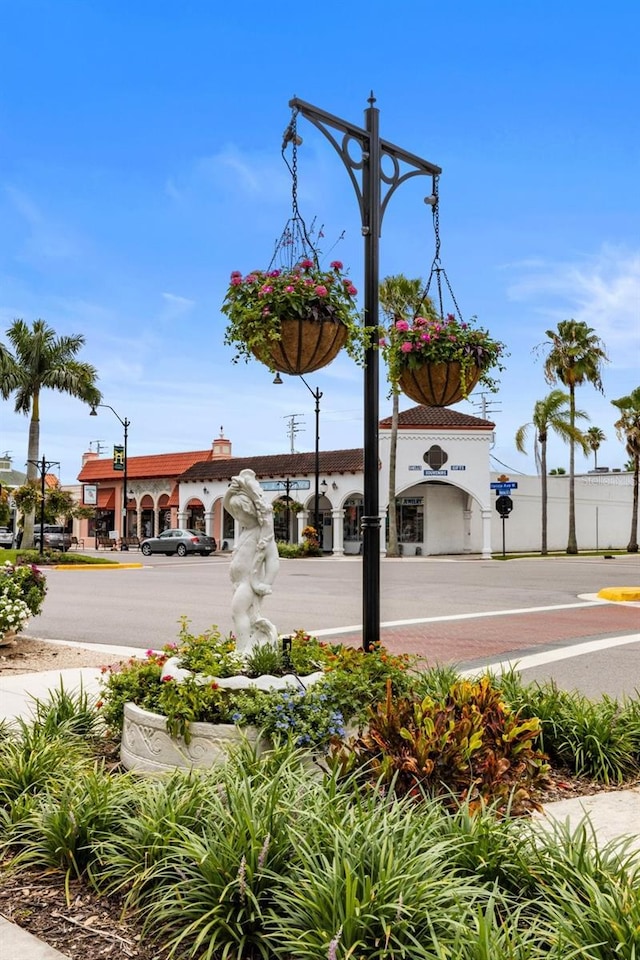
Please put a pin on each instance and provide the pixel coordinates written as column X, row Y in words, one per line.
column 549, row 414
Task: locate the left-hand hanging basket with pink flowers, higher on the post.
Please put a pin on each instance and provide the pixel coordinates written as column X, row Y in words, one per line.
column 293, row 320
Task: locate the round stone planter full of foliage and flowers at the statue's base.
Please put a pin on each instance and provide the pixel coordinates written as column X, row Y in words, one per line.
column 167, row 720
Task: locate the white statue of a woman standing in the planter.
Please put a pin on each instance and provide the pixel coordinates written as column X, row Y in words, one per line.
column 255, row 561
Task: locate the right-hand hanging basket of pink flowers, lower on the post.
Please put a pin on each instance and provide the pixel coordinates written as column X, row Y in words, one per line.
column 438, row 361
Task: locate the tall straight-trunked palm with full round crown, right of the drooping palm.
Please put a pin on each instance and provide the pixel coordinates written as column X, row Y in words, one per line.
column 576, row 354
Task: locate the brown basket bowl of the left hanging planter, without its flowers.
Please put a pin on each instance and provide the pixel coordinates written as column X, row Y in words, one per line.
column 304, row 345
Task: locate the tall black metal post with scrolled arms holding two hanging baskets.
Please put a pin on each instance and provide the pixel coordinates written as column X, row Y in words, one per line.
column 372, row 205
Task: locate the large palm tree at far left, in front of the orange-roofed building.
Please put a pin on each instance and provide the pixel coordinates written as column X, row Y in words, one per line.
column 42, row 360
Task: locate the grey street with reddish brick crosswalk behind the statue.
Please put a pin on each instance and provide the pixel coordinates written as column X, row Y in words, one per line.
column 479, row 610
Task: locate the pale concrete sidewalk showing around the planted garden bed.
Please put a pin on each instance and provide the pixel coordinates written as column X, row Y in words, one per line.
column 612, row 814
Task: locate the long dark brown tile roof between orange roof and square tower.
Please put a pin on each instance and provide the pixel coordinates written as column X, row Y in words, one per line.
column 278, row 465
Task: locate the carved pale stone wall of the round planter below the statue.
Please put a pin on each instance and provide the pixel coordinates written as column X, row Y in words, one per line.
column 147, row 747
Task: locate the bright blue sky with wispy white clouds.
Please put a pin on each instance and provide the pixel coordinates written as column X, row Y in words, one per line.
column 140, row 163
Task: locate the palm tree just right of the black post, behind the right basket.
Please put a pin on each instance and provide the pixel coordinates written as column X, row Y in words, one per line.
column 400, row 299
